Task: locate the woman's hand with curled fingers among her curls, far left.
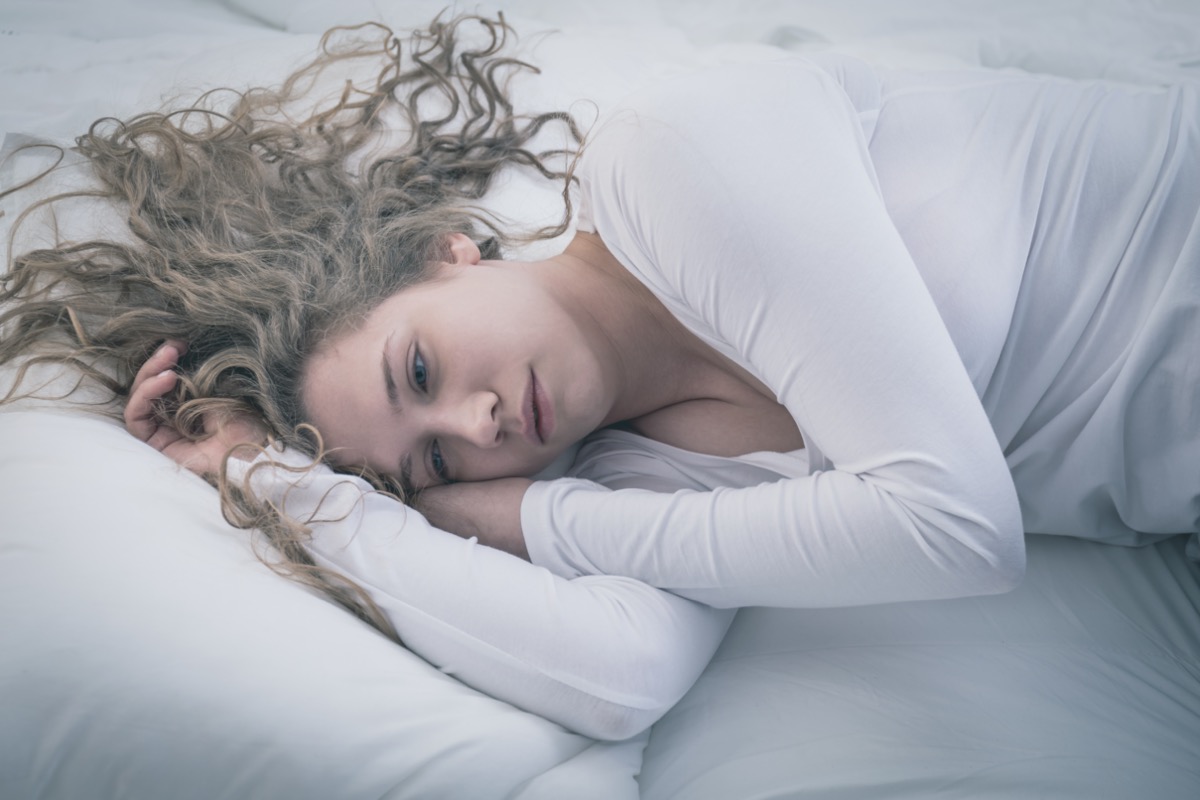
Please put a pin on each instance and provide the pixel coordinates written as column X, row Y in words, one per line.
column 203, row 458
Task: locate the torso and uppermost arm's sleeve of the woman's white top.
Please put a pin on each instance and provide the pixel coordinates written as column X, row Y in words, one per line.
column 773, row 209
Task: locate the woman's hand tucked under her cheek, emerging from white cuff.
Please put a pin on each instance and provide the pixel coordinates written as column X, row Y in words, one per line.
column 487, row 510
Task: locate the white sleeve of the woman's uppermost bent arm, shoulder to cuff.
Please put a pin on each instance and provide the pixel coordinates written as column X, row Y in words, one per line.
column 748, row 201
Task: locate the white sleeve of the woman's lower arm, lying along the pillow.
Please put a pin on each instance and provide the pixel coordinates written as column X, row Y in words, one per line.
column 605, row 657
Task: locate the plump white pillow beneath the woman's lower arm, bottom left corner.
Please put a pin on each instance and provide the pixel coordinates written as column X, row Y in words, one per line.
column 148, row 654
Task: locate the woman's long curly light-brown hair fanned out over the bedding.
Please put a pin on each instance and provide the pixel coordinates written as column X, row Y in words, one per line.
column 257, row 231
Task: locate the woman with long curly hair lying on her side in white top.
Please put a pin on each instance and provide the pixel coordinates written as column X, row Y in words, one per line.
column 873, row 327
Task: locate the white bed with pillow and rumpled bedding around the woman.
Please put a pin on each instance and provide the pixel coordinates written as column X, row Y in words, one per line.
column 147, row 653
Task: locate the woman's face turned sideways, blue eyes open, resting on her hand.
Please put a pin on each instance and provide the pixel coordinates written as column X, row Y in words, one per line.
column 478, row 374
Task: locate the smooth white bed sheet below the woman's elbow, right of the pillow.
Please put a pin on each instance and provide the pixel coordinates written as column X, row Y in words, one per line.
column 1084, row 683
